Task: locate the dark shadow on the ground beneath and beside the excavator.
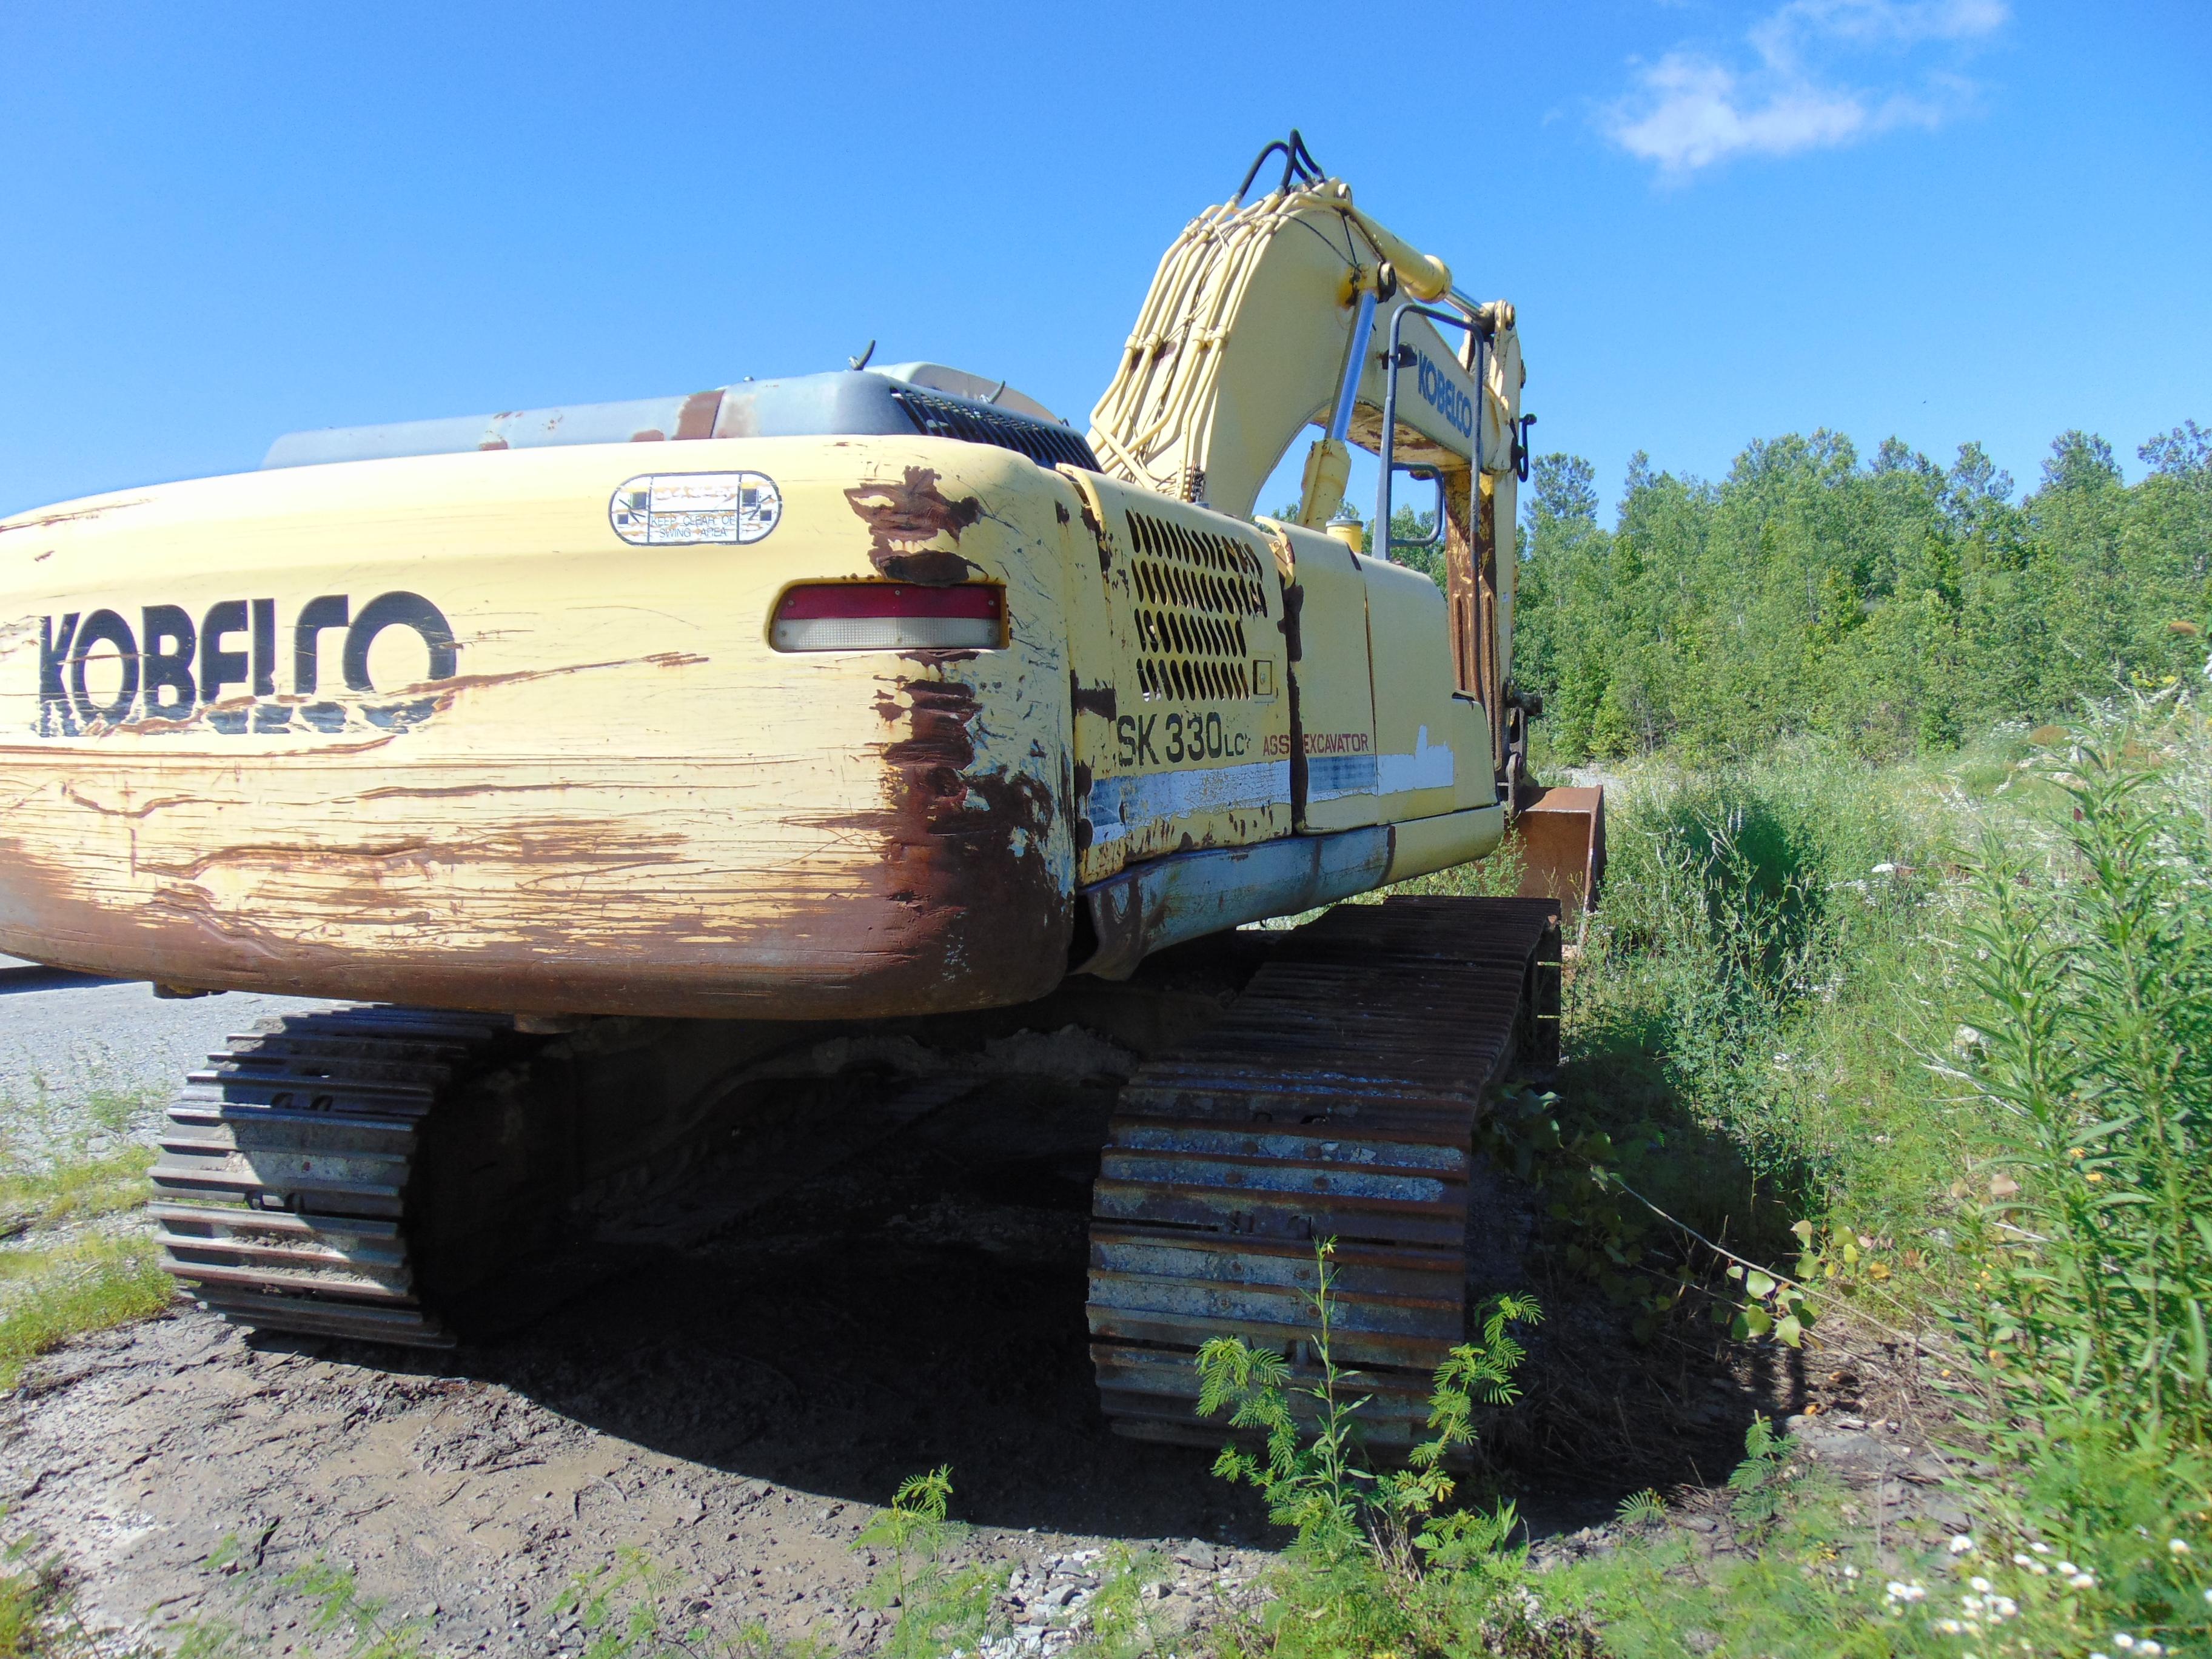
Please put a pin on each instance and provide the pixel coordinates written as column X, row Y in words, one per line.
column 921, row 1304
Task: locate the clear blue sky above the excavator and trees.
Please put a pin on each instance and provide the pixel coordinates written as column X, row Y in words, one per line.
column 1720, row 222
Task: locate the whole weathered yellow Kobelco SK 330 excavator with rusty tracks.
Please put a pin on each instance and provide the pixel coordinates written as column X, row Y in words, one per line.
column 601, row 760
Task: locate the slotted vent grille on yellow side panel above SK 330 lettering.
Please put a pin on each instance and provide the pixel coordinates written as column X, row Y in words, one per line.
column 1196, row 592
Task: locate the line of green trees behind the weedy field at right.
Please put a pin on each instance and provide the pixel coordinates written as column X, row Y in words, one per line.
column 1895, row 605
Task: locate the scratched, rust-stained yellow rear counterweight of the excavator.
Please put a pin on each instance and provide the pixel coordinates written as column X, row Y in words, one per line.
column 620, row 800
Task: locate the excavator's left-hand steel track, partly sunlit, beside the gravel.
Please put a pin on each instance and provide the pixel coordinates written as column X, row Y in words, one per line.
column 286, row 1171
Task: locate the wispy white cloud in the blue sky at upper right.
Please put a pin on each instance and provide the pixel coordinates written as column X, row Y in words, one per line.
column 1691, row 109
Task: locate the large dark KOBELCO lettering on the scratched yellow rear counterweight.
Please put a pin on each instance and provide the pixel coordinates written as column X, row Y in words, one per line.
column 222, row 667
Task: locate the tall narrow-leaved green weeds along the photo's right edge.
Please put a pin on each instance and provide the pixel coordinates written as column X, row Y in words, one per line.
column 2087, row 1222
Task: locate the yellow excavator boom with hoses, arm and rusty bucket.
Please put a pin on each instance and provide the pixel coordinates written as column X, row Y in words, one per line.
column 1302, row 311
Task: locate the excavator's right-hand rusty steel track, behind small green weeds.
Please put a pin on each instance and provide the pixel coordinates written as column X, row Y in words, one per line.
column 1337, row 1100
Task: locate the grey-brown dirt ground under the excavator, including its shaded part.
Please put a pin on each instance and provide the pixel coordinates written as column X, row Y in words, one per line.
column 735, row 1381
